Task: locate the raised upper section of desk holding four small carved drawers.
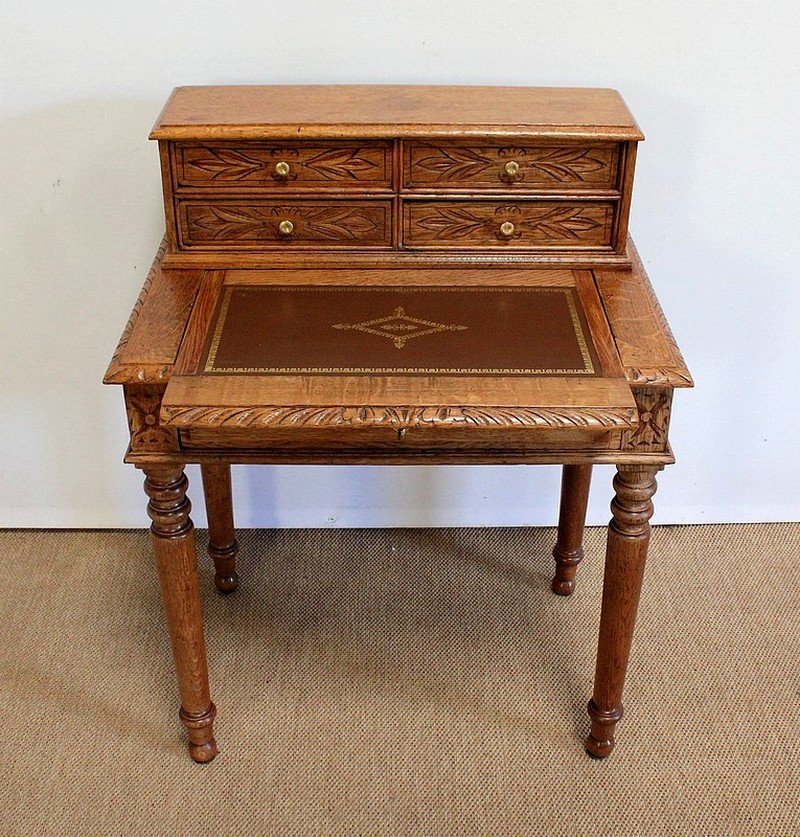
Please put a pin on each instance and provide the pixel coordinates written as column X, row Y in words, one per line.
column 263, row 176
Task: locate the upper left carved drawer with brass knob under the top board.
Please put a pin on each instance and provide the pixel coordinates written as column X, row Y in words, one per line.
column 282, row 167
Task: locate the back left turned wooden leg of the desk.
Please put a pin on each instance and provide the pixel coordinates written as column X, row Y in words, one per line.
column 222, row 545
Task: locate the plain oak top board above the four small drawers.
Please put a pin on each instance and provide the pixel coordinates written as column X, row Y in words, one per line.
column 255, row 112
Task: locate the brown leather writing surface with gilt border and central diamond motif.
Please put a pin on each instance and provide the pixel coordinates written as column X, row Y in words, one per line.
column 399, row 330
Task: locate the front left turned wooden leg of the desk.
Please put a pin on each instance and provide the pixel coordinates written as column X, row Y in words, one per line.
column 176, row 562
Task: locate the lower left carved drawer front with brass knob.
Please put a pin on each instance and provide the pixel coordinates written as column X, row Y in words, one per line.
column 256, row 225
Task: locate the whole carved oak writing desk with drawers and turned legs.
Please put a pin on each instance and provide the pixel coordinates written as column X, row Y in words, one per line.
column 397, row 275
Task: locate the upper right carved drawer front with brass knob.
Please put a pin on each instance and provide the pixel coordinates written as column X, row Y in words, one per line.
column 447, row 166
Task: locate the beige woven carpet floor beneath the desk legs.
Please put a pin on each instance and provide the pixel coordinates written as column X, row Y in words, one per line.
column 402, row 682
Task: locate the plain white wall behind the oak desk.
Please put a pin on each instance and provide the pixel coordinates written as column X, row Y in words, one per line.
column 716, row 215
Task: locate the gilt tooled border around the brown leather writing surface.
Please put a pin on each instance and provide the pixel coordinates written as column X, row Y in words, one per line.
column 580, row 337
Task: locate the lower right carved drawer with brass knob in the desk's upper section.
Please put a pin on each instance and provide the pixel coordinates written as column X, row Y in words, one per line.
column 520, row 224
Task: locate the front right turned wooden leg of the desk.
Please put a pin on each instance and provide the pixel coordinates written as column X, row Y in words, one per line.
column 628, row 537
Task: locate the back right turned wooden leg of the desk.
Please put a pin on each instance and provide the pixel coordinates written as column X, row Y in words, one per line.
column 568, row 551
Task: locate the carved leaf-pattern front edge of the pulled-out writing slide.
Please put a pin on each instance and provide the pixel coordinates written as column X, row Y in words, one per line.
column 398, row 417
